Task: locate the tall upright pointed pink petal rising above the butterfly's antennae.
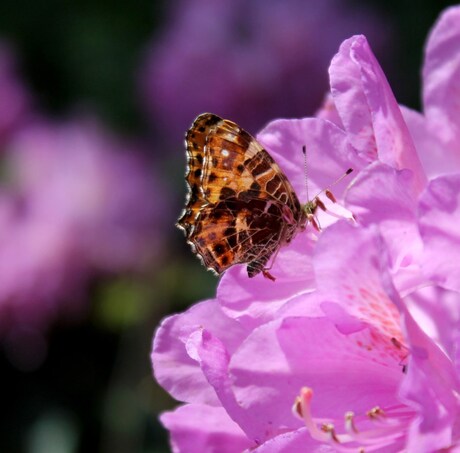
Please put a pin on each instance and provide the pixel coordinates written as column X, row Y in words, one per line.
column 368, row 109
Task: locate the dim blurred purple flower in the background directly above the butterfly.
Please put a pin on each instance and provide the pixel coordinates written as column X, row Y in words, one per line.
column 248, row 61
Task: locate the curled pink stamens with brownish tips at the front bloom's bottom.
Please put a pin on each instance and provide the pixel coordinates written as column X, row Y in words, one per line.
column 377, row 428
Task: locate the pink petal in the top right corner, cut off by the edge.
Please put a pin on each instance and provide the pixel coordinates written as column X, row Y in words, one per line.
column 441, row 76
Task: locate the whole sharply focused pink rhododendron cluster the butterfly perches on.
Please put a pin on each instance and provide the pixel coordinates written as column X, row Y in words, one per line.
column 355, row 346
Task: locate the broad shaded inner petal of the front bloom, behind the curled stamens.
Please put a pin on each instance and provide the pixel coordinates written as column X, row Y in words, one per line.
column 277, row 360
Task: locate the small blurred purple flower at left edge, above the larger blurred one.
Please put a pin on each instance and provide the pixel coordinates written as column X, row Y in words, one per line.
column 14, row 98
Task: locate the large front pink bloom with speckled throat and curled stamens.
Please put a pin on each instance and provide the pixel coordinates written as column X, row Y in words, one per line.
column 341, row 348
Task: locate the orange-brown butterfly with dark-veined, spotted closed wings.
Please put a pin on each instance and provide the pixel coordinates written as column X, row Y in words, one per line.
column 240, row 206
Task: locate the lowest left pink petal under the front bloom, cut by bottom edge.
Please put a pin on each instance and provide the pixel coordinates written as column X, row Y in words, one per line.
column 199, row 428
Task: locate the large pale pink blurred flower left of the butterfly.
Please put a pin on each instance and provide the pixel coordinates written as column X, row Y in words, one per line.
column 78, row 202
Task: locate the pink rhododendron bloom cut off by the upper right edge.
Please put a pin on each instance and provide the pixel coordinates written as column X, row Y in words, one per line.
column 436, row 133
